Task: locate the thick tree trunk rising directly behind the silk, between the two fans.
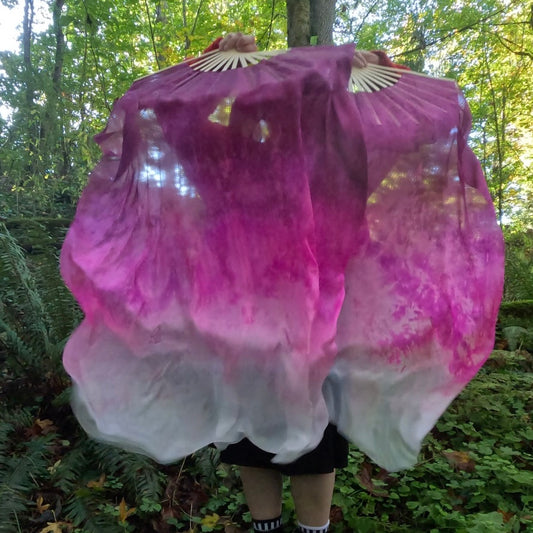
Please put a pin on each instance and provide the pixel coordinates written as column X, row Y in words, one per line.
column 310, row 22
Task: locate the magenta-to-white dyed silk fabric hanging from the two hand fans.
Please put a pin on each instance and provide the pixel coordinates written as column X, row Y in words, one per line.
column 260, row 251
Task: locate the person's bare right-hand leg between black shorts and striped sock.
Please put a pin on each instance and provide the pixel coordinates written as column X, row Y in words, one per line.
column 312, row 498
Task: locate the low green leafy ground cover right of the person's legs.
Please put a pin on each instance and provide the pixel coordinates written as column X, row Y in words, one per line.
column 476, row 469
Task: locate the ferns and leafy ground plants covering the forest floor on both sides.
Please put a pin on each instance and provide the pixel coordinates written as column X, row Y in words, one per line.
column 475, row 473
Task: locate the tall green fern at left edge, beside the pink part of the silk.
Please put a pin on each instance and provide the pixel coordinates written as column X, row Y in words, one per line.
column 37, row 313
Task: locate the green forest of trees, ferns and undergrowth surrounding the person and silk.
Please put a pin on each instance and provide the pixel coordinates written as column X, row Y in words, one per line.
column 57, row 91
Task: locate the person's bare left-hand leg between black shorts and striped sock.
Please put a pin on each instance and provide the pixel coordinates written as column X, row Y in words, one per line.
column 262, row 489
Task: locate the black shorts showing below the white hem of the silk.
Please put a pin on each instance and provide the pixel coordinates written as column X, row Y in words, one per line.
column 331, row 453
